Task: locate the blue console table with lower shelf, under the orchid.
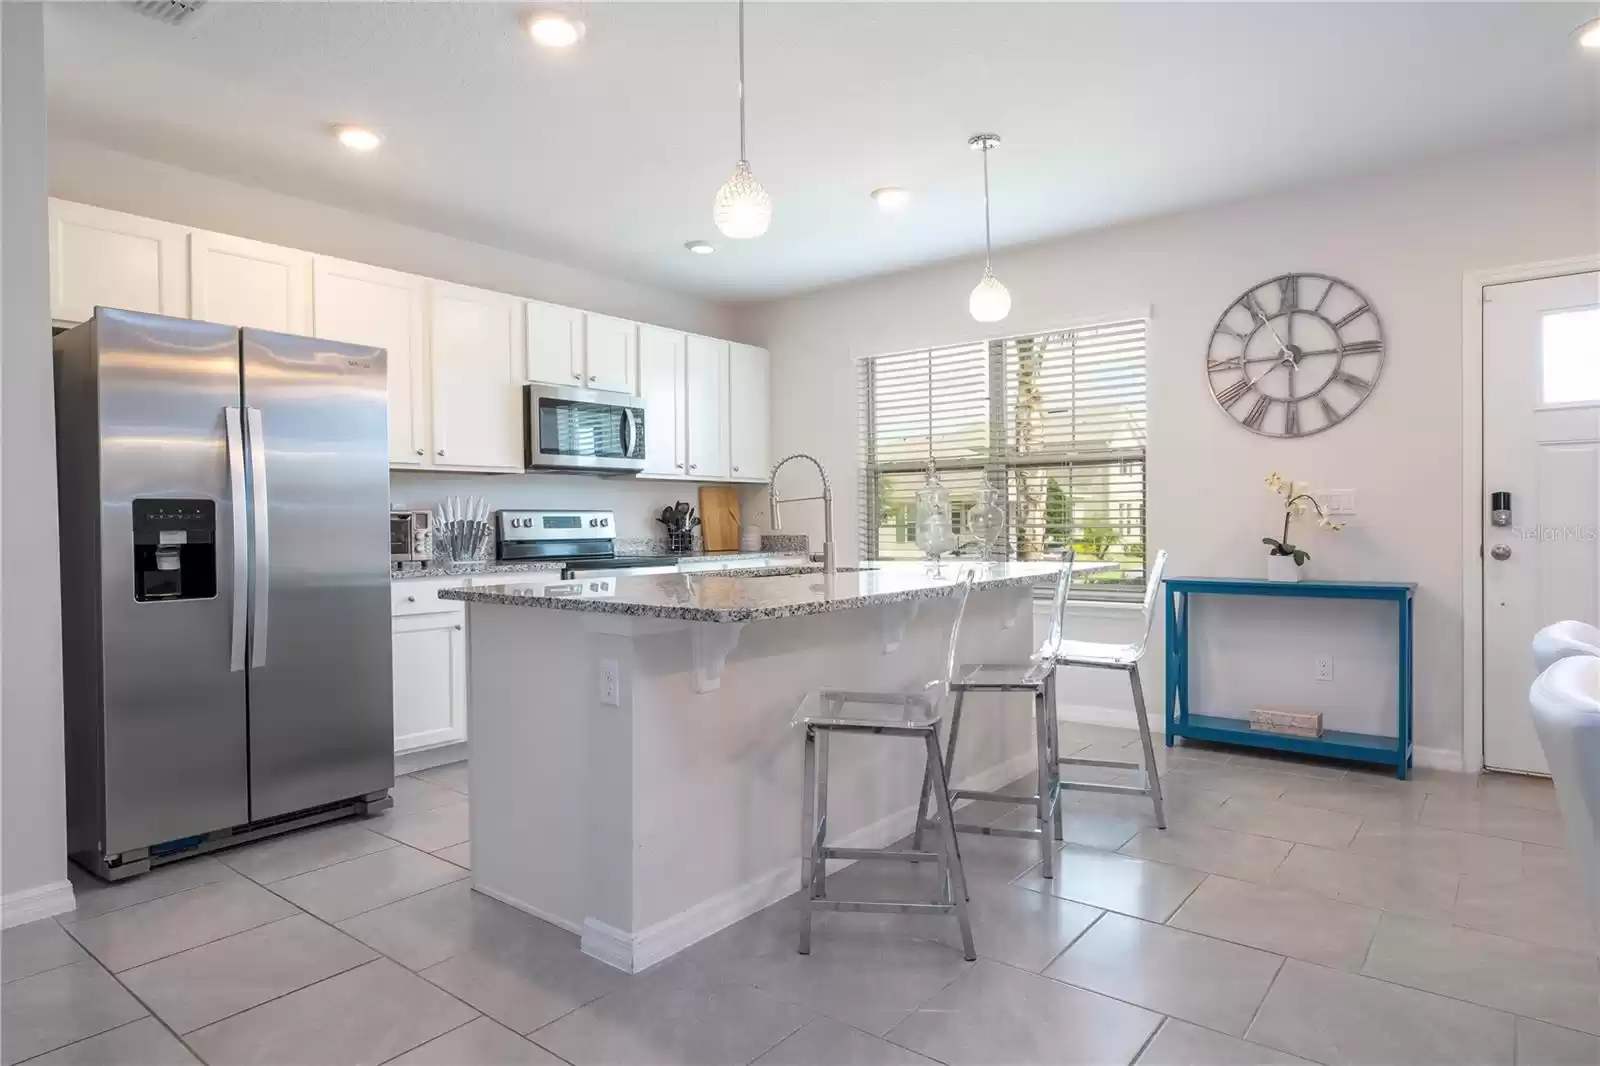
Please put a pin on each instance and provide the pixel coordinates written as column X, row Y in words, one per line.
column 1391, row 751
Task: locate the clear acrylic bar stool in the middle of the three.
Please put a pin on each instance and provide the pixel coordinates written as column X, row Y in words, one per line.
column 1039, row 678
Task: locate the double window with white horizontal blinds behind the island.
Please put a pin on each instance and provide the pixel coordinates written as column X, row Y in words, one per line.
column 1055, row 422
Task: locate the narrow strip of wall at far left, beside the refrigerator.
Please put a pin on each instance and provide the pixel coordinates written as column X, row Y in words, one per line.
column 33, row 796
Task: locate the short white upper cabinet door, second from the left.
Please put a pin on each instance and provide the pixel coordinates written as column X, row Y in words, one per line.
column 249, row 284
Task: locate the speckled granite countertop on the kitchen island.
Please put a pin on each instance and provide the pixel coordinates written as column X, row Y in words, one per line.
column 714, row 598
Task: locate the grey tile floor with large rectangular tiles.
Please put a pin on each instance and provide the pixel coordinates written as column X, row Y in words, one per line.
column 1292, row 913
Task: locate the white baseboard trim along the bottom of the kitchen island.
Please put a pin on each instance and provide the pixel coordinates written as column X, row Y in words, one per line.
column 668, row 937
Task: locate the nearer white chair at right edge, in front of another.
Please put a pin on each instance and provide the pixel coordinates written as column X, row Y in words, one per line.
column 1566, row 703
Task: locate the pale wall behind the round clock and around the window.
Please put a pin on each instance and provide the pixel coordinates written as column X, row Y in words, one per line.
column 1406, row 239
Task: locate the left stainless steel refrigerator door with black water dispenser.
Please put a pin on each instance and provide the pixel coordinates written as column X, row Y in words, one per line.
column 174, row 729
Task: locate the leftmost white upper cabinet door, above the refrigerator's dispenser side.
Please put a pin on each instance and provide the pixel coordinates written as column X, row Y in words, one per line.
column 113, row 260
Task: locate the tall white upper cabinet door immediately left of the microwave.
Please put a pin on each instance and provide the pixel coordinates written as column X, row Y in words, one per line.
column 476, row 351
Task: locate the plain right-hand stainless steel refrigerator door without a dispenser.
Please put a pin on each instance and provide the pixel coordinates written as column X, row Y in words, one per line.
column 321, row 681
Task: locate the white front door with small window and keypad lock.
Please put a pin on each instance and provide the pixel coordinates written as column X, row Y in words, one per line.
column 1542, row 444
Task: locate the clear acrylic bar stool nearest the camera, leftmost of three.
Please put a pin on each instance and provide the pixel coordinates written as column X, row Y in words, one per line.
column 916, row 716
